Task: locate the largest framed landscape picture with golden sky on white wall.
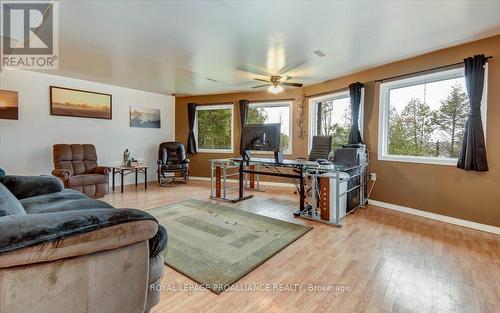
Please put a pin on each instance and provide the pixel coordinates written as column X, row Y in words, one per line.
column 80, row 103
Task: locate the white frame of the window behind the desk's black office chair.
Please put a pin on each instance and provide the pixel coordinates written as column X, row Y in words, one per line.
column 313, row 110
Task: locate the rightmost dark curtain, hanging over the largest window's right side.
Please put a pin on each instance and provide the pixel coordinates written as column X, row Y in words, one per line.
column 473, row 153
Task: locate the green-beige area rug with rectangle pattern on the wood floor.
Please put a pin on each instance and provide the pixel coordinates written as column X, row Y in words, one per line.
column 216, row 245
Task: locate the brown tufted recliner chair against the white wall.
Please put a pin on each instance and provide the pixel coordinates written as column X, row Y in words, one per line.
column 76, row 166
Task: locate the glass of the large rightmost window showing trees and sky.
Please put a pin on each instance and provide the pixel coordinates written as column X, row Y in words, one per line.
column 431, row 122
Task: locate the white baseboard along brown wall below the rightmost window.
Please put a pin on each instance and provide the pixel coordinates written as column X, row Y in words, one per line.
column 437, row 217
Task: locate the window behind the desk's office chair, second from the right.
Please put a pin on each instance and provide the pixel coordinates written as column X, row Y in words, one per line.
column 331, row 115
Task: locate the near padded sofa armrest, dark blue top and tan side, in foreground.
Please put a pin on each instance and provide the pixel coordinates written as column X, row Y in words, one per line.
column 34, row 238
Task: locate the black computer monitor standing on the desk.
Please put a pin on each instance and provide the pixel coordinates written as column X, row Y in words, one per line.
column 262, row 137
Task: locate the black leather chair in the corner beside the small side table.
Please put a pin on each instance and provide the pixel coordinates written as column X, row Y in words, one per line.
column 172, row 160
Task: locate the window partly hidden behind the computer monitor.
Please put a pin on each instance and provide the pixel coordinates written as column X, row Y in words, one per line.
column 274, row 112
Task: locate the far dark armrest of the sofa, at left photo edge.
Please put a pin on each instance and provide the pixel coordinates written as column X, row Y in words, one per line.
column 30, row 186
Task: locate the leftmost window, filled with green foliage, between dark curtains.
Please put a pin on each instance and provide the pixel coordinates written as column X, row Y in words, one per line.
column 214, row 128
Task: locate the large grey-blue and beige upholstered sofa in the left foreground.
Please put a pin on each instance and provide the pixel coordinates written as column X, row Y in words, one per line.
column 61, row 251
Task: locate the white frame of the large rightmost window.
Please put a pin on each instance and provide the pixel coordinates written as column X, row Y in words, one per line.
column 383, row 132
